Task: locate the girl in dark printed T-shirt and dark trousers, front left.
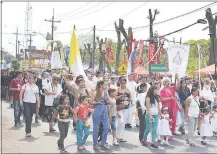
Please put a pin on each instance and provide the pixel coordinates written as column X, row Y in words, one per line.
column 63, row 111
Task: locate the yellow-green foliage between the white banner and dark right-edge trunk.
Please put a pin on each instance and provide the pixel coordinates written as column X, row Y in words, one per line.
column 193, row 59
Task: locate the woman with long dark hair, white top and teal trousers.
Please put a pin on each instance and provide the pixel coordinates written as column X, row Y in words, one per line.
column 152, row 115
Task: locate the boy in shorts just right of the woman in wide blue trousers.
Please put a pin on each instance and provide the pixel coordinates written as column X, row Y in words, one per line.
column 113, row 114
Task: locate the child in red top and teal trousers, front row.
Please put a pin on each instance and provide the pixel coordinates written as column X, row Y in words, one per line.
column 82, row 124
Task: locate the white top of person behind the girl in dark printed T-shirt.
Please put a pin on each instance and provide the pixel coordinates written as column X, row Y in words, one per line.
column 49, row 99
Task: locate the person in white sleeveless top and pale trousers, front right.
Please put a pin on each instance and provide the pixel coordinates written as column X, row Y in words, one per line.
column 192, row 112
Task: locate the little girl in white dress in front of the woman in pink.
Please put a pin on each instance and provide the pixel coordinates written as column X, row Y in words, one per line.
column 164, row 127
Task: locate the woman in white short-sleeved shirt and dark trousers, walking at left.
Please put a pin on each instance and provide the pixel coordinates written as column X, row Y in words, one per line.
column 29, row 97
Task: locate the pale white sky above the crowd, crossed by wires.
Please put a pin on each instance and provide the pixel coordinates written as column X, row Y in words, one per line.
column 84, row 15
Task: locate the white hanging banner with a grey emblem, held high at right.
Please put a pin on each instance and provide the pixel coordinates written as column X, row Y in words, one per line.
column 178, row 59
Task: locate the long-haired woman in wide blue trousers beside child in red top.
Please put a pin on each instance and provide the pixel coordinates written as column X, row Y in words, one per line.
column 100, row 115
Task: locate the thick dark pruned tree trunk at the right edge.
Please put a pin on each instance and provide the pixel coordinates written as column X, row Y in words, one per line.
column 212, row 31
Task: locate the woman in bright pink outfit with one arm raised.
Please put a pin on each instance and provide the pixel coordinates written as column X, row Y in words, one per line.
column 168, row 99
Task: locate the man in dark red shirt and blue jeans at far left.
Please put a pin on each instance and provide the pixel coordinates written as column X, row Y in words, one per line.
column 15, row 87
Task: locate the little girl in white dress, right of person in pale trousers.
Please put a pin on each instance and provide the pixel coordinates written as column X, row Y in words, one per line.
column 205, row 129
